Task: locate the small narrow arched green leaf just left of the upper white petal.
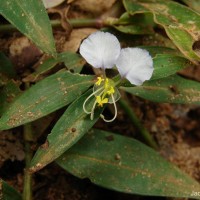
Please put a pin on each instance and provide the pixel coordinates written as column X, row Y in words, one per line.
column 73, row 62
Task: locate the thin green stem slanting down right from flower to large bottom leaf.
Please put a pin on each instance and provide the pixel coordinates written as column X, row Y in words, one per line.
column 145, row 134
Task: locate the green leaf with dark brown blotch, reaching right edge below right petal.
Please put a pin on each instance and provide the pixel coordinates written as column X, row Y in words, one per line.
column 173, row 89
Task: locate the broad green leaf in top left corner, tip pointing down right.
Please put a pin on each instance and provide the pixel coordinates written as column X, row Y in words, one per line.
column 31, row 18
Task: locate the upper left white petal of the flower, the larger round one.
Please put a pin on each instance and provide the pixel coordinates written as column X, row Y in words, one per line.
column 100, row 49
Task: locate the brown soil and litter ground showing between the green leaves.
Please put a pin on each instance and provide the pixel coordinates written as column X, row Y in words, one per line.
column 175, row 128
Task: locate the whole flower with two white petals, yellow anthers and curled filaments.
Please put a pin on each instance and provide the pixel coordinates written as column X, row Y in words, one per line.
column 102, row 50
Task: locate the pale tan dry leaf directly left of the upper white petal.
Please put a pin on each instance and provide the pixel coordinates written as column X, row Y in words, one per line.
column 77, row 35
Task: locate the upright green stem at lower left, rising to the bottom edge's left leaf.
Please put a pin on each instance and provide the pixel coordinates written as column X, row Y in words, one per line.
column 27, row 190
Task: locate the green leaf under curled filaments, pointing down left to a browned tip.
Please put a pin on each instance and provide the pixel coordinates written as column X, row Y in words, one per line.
column 73, row 124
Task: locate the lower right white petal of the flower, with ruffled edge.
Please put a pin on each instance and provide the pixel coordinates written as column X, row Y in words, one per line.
column 135, row 64
